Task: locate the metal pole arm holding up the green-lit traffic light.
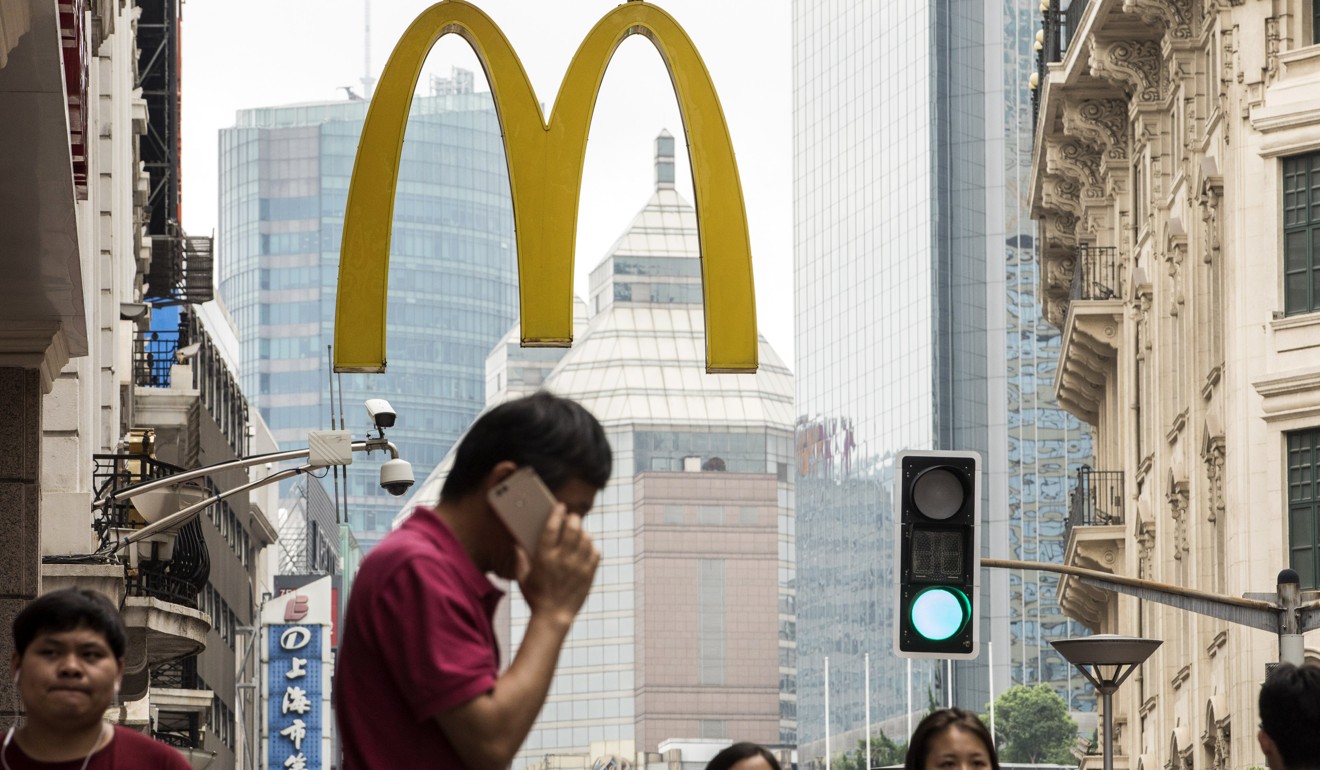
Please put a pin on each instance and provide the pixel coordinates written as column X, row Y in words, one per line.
column 1286, row 616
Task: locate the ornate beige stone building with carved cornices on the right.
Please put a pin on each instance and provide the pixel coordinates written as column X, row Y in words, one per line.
column 1177, row 183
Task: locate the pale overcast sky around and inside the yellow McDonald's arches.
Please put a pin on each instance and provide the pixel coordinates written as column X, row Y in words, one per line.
column 259, row 53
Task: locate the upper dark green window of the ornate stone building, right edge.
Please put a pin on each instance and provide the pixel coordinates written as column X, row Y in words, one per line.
column 1302, row 233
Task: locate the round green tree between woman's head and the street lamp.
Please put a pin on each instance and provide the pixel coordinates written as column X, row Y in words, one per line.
column 1034, row 726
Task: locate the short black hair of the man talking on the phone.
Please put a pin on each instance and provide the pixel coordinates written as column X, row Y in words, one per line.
column 556, row 437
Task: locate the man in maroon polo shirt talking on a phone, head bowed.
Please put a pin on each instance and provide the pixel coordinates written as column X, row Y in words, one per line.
column 418, row 682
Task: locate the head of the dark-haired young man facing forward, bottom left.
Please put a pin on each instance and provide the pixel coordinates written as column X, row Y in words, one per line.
column 69, row 657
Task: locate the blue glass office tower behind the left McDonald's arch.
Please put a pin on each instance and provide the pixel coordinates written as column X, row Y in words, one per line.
column 284, row 183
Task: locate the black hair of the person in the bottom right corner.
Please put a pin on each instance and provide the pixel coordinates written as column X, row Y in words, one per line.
column 1290, row 711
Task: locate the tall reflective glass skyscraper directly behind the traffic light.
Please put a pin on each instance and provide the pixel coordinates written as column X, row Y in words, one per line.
column 913, row 253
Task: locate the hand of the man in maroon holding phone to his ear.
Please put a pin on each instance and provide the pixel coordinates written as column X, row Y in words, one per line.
column 559, row 575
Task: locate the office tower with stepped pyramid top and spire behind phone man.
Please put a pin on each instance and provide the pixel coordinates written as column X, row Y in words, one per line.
column 688, row 632
